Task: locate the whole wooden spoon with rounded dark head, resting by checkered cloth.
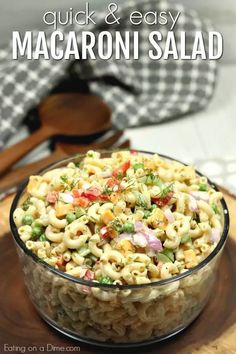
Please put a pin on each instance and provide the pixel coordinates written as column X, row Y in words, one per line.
column 62, row 114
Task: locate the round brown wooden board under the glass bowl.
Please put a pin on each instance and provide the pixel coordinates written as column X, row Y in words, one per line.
column 214, row 331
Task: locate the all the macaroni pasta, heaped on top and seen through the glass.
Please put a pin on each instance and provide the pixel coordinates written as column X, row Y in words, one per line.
column 127, row 219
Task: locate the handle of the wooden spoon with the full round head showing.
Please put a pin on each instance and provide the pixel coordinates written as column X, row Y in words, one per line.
column 14, row 153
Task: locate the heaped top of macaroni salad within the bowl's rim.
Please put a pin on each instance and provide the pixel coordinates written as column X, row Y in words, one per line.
column 130, row 218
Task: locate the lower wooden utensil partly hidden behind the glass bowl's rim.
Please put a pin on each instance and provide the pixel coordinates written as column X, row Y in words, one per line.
column 17, row 175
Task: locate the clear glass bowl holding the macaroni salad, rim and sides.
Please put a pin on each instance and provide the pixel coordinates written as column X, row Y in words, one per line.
column 117, row 315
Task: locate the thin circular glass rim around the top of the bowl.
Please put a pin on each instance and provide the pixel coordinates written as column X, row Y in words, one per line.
column 91, row 284
